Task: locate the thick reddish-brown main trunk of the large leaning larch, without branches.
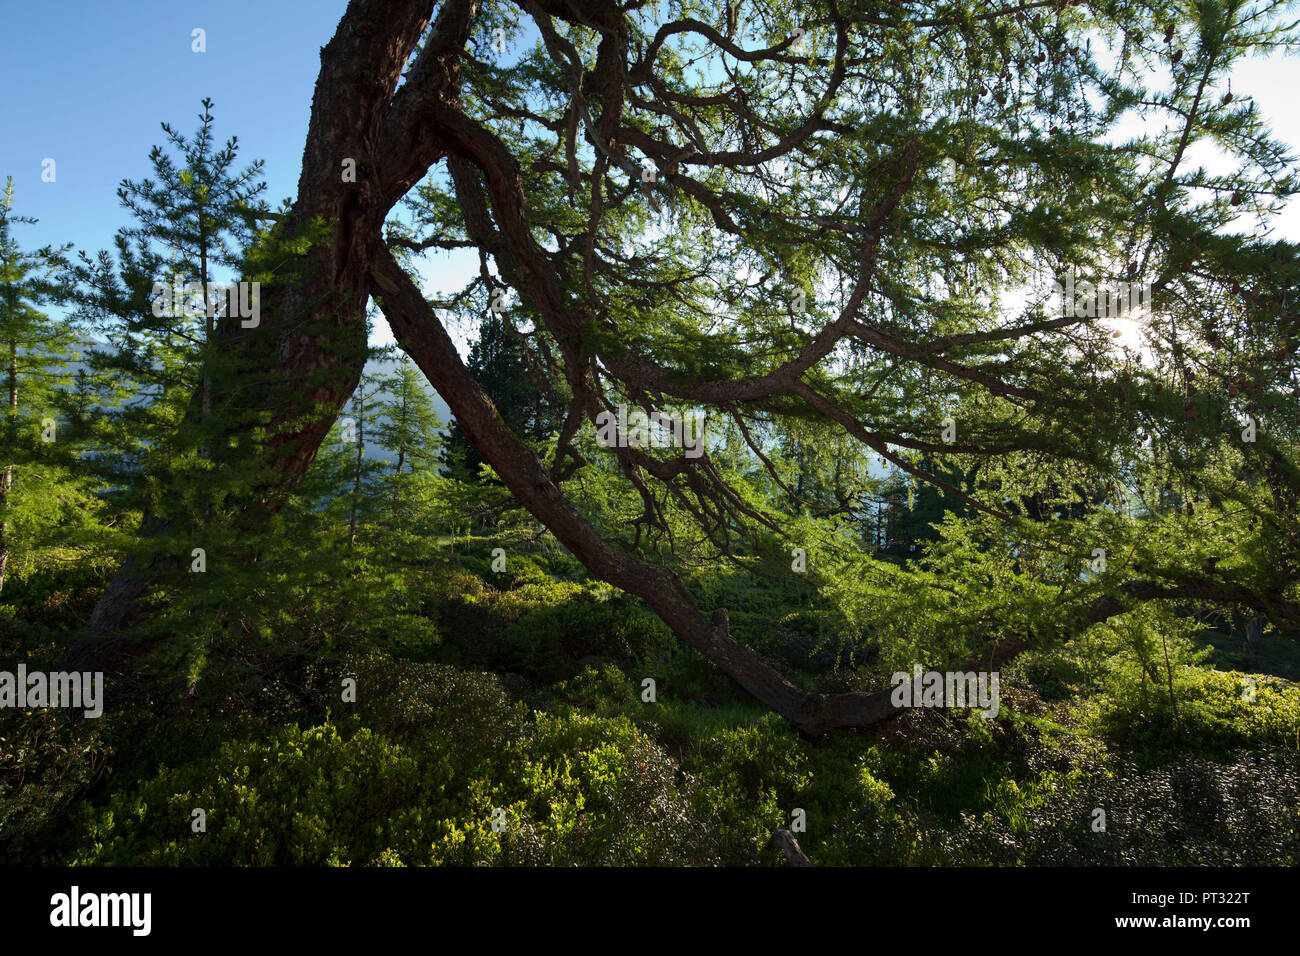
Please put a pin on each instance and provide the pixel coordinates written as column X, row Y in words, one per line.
column 305, row 360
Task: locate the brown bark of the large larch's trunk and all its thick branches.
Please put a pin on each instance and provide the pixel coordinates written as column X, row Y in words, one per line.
column 311, row 347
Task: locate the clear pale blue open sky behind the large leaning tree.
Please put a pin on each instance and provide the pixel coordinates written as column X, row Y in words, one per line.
column 88, row 84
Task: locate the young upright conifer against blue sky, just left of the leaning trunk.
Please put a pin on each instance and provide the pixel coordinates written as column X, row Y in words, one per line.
column 151, row 379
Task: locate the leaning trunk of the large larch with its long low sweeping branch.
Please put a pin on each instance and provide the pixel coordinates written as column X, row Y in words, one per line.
column 369, row 144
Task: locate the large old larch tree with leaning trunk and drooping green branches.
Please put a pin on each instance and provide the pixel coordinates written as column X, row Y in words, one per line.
column 972, row 244
